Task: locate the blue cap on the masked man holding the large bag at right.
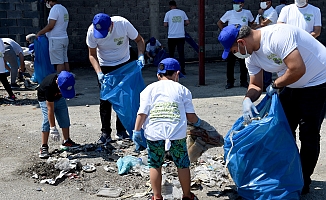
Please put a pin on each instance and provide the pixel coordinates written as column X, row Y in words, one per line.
column 227, row 38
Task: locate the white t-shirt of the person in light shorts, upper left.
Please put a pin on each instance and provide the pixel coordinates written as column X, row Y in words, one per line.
column 60, row 14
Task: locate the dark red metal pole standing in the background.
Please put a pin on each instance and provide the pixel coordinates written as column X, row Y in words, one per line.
column 201, row 36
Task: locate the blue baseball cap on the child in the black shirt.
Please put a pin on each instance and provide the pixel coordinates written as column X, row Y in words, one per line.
column 66, row 82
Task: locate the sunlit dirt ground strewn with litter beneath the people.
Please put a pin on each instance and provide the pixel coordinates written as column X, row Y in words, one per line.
column 20, row 124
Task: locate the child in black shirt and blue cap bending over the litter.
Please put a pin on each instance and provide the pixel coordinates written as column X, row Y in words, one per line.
column 51, row 95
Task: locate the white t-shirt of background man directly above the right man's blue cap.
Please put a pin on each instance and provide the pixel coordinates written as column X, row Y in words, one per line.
column 233, row 17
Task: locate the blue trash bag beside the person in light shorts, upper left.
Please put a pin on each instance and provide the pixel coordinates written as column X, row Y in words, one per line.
column 42, row 63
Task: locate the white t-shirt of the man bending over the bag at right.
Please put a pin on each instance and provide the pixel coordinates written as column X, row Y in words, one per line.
column 277, row 42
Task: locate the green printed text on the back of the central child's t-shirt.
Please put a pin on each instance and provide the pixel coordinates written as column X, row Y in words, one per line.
column 168, row 111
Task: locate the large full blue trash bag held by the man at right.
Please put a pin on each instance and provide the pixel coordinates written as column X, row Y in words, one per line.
column 262, row 157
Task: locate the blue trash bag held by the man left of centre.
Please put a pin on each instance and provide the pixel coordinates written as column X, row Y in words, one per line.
column 122, row 88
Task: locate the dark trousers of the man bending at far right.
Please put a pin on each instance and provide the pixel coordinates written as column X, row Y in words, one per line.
column 306, row 107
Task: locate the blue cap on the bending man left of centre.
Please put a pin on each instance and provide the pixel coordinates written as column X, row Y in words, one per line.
column 101, row 23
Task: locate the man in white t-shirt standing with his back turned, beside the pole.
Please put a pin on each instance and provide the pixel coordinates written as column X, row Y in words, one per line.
column 176, row 20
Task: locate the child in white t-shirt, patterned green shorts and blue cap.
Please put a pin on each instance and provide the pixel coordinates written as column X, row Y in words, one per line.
column 165, row 107
